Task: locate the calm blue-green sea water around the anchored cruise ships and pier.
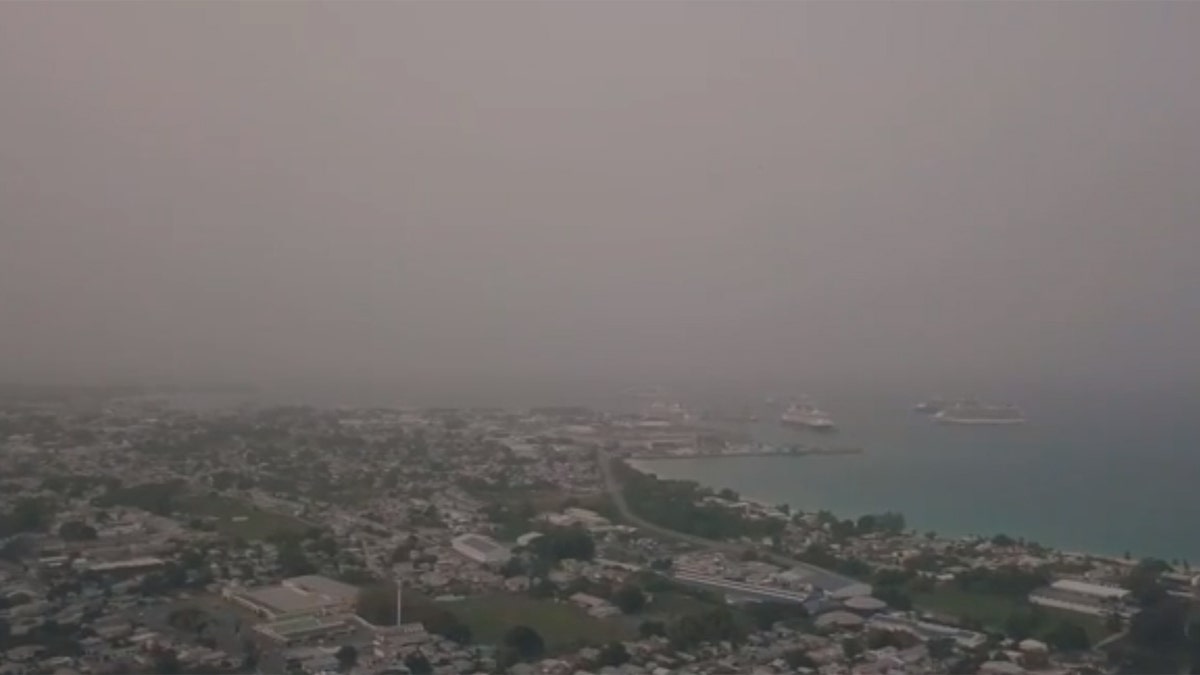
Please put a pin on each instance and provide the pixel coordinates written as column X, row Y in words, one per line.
column 1090, row 473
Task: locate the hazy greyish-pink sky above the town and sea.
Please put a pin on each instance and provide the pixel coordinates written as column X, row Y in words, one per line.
column 621, row 190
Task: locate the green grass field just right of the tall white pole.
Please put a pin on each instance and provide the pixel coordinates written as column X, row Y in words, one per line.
column 561, row 625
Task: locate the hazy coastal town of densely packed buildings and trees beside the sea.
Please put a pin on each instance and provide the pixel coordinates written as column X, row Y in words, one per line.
column 137, row 536
